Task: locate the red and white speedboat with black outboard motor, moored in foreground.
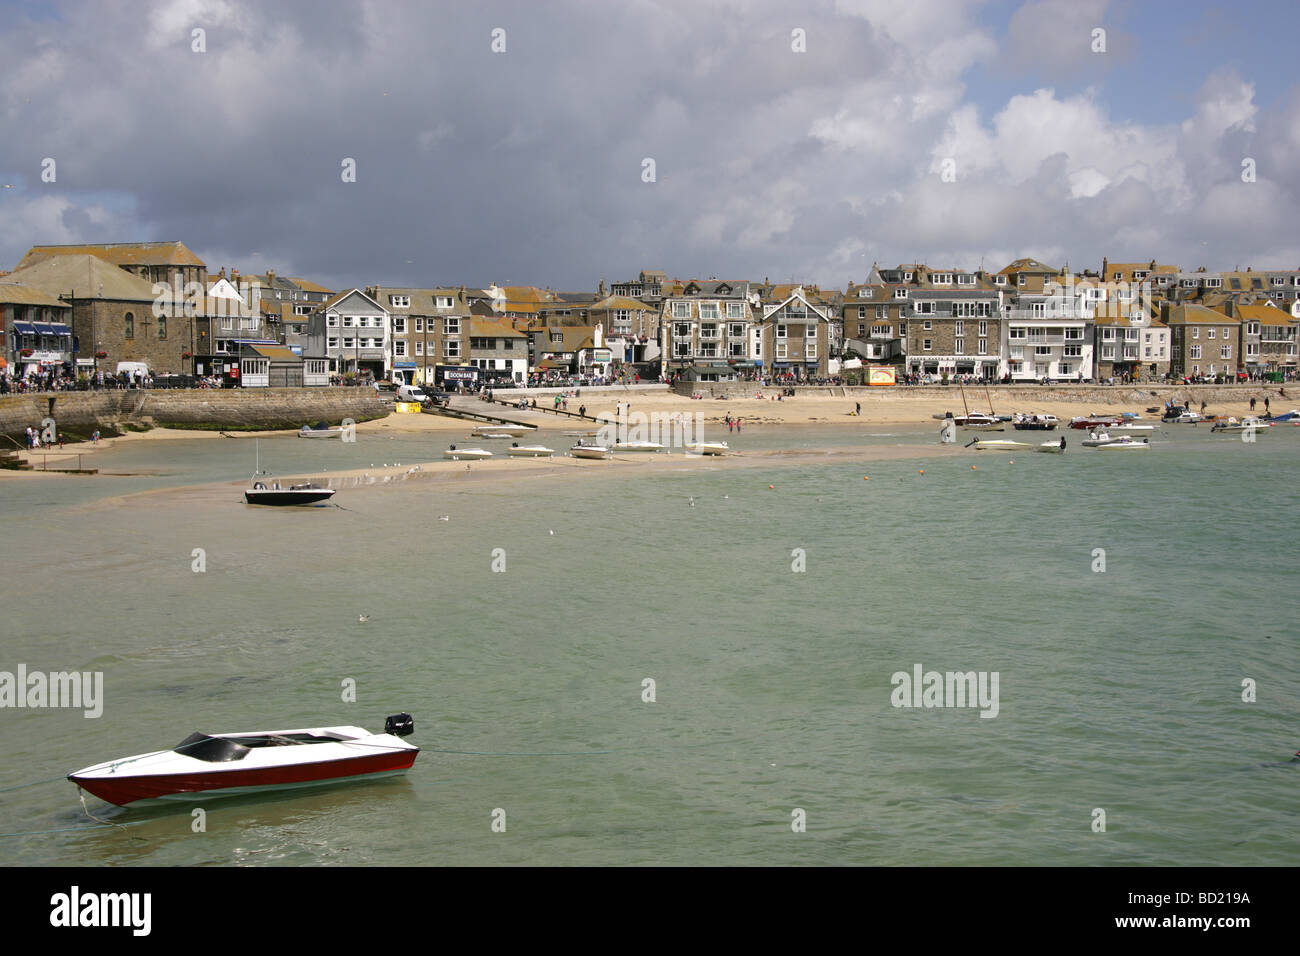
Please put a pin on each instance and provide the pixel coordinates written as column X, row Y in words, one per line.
column 203, row 767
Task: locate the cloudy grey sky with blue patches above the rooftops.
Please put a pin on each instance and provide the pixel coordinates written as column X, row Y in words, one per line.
column 564, row 142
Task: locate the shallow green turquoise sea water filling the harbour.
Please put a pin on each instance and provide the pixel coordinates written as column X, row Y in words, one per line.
column 1119, row 690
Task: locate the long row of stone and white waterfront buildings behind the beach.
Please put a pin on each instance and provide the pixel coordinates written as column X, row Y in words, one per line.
column 102, row 308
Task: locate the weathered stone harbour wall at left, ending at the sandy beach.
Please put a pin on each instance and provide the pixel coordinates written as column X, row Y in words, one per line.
column 80, row 413
